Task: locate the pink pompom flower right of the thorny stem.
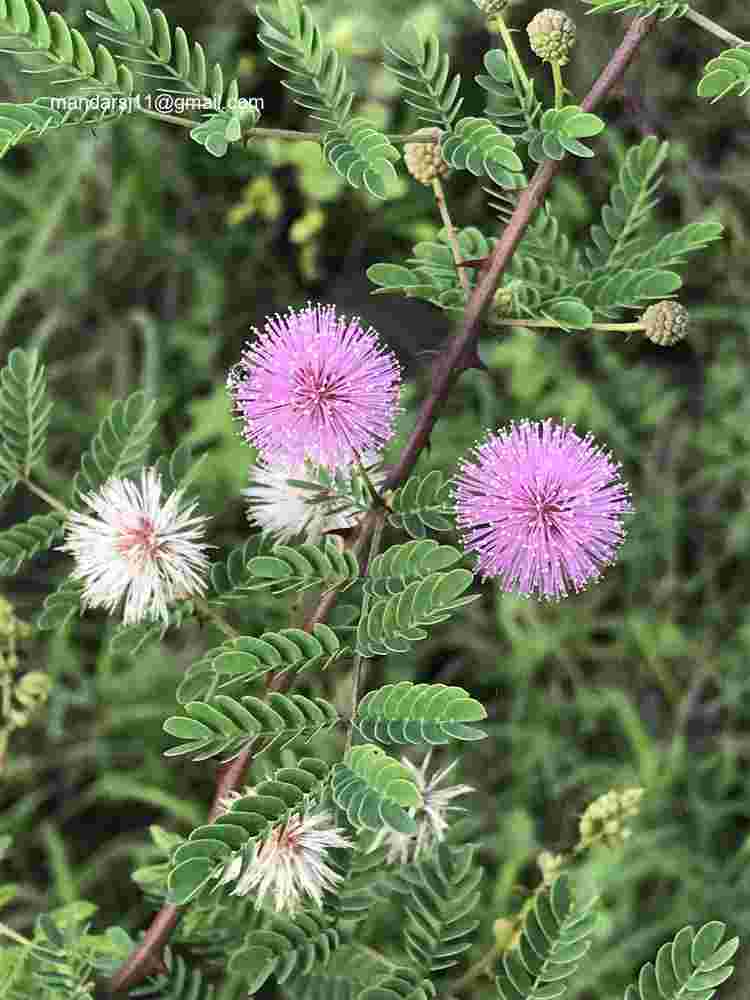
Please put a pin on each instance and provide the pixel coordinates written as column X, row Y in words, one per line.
column 542, row 508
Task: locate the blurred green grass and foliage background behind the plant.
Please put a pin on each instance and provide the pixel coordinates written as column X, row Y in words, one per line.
column 133, row 259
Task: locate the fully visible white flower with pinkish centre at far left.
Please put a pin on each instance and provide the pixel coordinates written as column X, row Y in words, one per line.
column 137, row 548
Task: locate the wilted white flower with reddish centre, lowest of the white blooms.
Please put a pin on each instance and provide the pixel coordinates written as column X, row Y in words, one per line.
column 289, row 864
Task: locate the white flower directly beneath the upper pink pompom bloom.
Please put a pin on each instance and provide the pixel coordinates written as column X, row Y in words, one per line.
column 285, row 510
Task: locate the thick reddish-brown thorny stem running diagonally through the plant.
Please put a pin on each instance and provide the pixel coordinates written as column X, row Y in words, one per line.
column 446, row 369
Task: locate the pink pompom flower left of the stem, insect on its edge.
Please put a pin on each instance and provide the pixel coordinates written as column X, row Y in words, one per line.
column 315, row 386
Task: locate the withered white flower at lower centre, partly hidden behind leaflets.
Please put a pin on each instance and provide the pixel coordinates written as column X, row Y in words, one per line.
column 432, row 823
